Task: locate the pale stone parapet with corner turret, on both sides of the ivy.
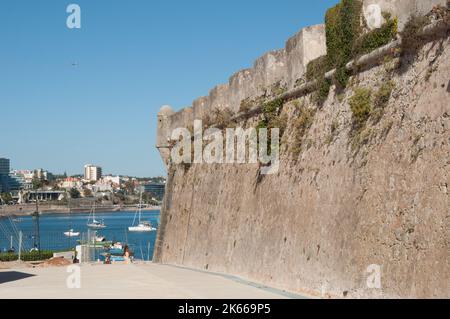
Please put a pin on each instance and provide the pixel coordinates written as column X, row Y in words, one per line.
column 283, row 67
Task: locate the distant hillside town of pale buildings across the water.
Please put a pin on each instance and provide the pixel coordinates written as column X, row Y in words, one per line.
column 25, row 186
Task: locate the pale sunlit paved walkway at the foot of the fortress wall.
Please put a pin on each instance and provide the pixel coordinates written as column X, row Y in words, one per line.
column 149, row 281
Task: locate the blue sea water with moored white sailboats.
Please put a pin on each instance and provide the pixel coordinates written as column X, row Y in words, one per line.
column 53, row 226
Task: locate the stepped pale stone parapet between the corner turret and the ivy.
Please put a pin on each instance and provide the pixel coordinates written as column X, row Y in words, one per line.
column 284, row 66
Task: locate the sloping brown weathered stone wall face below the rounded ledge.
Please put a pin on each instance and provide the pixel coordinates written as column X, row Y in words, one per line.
column 317, row 225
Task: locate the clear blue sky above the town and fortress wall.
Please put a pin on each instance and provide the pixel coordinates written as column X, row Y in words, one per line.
column 133, row 57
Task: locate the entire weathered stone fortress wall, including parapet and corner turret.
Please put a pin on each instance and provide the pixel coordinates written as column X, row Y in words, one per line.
column 342, row 203
